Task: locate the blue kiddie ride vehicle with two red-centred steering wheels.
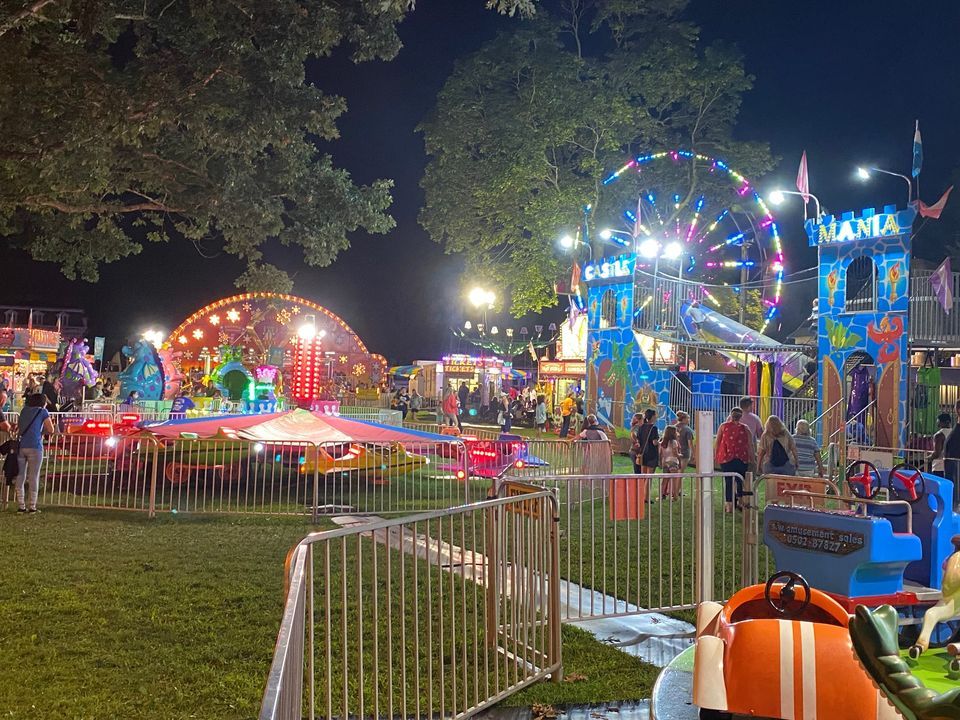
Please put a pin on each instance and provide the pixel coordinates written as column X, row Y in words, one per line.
column 884, row 543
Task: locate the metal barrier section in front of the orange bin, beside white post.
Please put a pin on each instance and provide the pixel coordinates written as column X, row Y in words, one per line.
column 624, row 549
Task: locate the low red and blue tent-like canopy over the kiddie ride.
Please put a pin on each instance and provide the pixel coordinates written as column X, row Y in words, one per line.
column 292, row 426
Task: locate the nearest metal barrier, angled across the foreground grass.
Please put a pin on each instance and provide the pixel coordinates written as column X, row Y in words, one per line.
column 437, row 615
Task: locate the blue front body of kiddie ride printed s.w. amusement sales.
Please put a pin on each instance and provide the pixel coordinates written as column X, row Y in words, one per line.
column 839, row 553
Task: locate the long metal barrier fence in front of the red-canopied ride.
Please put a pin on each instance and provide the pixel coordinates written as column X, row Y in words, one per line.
column 241, row 476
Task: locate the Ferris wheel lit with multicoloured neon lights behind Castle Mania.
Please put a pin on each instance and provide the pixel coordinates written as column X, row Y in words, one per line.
column 725, row 231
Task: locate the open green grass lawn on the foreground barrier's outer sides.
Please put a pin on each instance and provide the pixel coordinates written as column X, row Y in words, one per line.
column 109, row 614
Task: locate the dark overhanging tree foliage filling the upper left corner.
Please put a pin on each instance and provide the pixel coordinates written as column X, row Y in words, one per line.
column 126, row 121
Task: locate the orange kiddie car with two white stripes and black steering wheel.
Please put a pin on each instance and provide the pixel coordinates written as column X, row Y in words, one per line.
column 781, row 650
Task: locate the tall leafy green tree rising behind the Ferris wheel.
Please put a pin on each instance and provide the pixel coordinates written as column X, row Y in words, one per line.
column 525, row 130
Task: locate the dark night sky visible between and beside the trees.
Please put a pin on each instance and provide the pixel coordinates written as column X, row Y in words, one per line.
column 843, row 80
